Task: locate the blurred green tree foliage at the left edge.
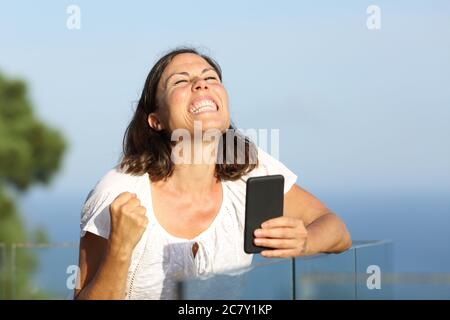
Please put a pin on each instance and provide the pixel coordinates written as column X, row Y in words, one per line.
column 30, row 153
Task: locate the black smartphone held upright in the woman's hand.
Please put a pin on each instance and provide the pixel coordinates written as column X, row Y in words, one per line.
column 263, row 201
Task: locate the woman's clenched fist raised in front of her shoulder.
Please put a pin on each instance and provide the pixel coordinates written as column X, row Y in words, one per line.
column 128, row 222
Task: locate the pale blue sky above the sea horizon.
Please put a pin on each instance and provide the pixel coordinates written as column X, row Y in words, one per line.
column 358, row 110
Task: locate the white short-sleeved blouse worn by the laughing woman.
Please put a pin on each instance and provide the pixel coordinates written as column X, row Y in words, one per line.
column 160, row 259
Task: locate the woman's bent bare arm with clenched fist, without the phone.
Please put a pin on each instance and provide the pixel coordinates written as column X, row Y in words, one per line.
column 103, row 262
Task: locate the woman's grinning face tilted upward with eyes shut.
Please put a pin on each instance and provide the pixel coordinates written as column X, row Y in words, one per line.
column 190, row 90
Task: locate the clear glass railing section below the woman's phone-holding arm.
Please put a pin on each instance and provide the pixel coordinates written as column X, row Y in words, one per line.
column 357, row 273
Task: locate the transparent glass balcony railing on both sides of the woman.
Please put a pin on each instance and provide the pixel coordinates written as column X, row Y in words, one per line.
column 48, row 271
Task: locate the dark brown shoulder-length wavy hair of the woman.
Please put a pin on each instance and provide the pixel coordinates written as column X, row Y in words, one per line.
column 146, row 150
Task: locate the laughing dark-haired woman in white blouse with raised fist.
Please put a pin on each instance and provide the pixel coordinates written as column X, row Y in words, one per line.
column 153, row 220
